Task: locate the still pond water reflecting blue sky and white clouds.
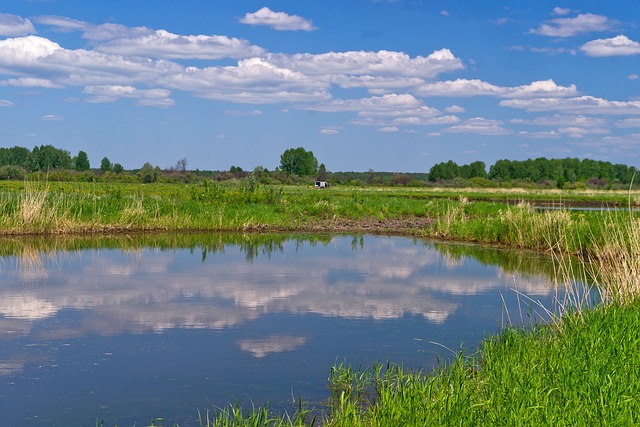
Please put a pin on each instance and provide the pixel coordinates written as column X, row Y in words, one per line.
column 125, row 329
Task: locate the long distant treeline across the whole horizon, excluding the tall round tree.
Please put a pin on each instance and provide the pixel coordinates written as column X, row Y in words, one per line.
column 58, row 165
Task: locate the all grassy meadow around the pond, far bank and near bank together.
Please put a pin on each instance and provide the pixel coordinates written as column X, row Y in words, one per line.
column 583, row 368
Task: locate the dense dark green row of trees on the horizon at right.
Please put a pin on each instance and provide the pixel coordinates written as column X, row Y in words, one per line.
column 540, row 170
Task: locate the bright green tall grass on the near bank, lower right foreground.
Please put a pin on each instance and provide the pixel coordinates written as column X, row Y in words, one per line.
column 585, row 373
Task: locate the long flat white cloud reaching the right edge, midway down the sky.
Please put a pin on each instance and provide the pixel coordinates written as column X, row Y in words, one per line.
column 577, row 105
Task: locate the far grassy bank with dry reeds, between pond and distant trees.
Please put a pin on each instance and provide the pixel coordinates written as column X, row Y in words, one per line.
column 245, row 205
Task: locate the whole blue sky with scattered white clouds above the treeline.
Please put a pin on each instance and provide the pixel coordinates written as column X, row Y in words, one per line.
column 365, row 84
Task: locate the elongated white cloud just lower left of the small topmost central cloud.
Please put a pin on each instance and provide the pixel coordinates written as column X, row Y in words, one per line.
column 163, row 44
